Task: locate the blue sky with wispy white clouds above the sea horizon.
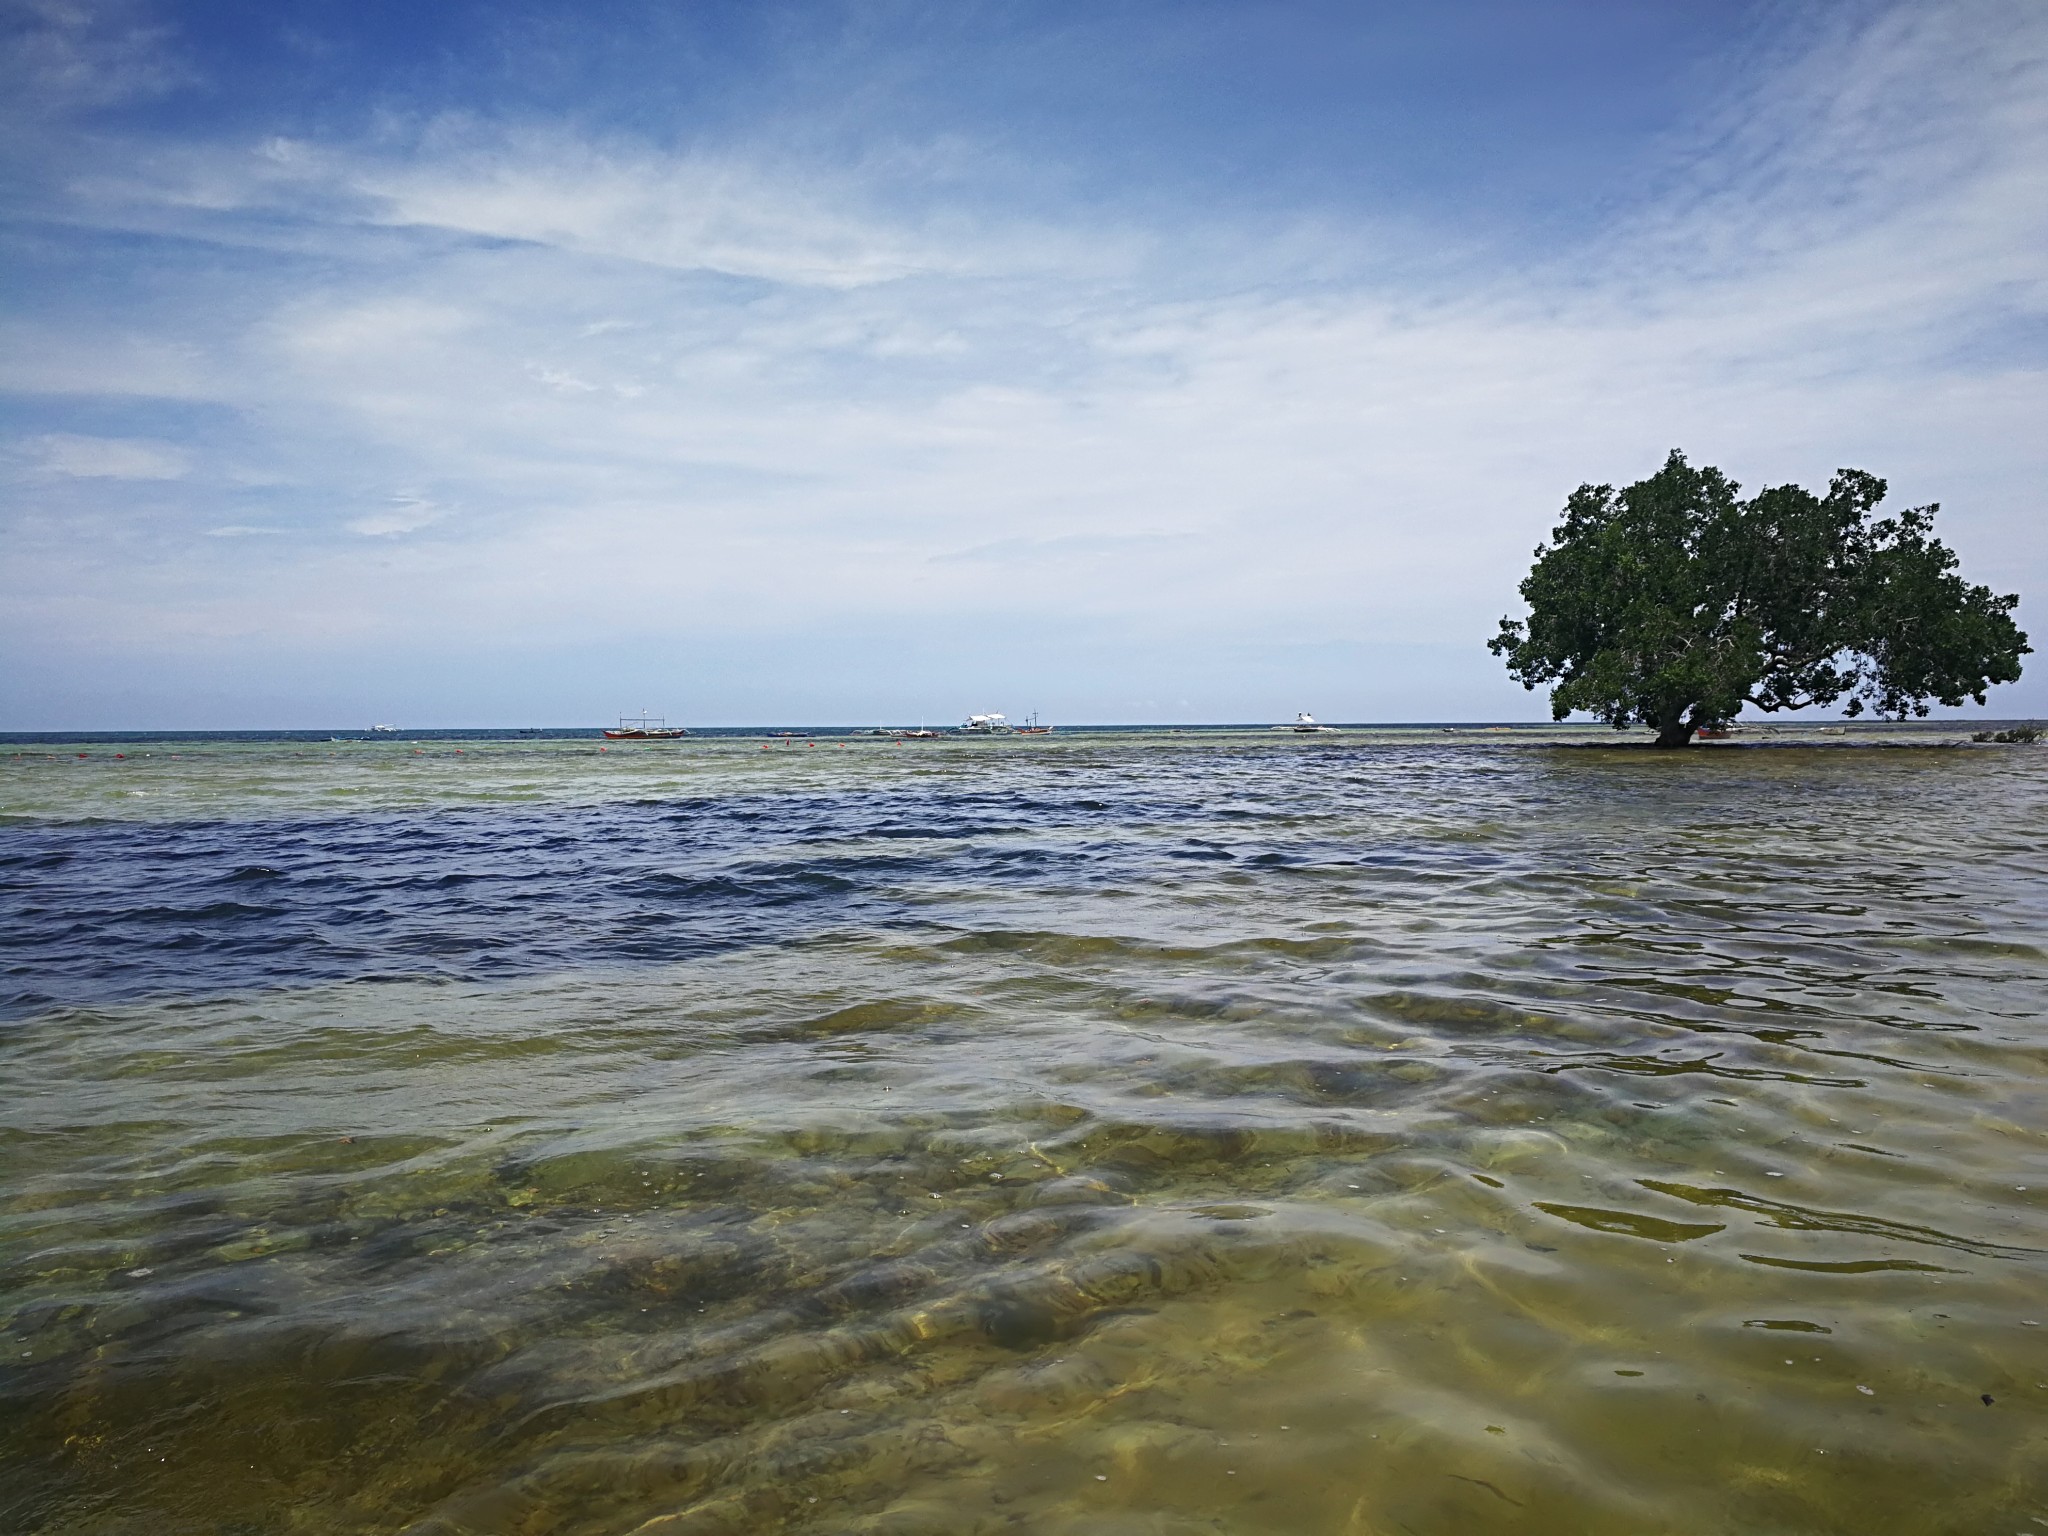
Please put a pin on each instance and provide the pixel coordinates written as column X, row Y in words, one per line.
column 531, row 364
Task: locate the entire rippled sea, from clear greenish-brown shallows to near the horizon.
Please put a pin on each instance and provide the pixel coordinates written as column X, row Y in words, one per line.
column 1082, row 1136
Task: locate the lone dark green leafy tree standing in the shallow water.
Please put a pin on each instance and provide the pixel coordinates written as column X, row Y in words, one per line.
column 1672, row 603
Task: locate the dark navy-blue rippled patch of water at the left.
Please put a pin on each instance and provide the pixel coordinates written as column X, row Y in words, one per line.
column 101, row 912
